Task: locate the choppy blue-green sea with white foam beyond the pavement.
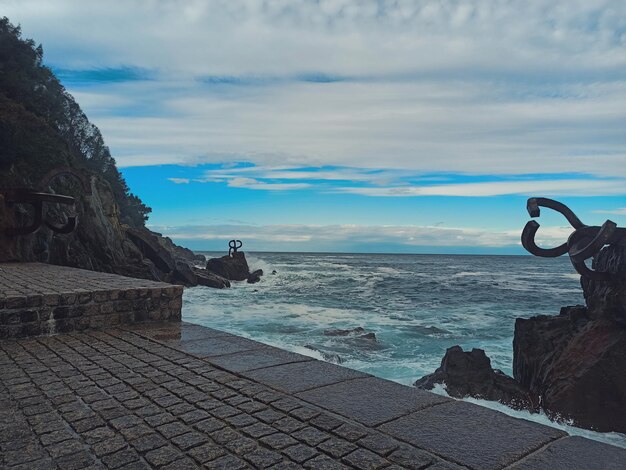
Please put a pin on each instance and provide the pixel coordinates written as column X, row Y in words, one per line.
column 416, row 305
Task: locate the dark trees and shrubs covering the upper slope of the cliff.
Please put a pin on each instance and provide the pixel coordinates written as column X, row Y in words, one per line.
column 42, row 126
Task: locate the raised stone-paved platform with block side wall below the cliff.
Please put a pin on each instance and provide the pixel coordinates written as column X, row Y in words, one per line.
column 38, row 299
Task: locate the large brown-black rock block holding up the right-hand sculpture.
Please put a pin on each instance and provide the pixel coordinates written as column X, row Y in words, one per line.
column 576, row 361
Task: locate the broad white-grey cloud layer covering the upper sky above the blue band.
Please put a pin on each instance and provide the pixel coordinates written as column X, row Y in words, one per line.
column 478, row 87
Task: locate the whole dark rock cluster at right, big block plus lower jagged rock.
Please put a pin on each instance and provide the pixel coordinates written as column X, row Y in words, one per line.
column 571, row 364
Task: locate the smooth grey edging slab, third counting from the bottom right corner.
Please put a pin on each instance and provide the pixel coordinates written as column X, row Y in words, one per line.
column 371, row 400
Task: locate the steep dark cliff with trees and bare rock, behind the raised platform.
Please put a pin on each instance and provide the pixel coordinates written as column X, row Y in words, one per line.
column 43, row 128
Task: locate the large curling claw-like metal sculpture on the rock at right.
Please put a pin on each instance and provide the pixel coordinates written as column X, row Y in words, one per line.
column 584, row 242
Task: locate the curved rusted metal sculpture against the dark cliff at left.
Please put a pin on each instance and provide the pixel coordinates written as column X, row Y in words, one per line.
column 36, row 200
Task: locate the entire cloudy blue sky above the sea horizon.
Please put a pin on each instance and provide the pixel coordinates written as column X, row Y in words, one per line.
column 351, row 125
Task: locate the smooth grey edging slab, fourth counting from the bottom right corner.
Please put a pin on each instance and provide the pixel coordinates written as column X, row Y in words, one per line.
column 301, row 376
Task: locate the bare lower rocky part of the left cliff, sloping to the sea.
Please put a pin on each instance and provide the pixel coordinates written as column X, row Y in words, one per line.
column 100, row 241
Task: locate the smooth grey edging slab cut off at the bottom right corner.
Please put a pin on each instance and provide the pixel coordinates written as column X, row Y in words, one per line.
column 575, row 453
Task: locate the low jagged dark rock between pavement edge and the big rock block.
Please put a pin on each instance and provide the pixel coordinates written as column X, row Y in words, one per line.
column 470, row 374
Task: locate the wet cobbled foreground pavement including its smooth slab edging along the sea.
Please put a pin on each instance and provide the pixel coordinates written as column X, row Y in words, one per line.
column 179, row 396
